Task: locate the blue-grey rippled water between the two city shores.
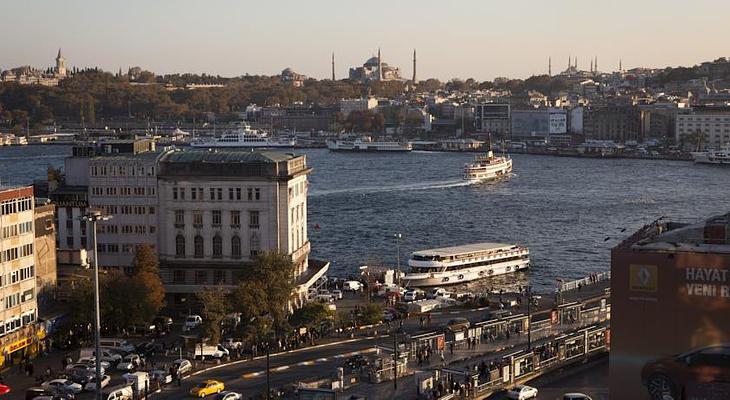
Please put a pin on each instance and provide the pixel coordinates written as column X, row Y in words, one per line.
column 568, row 211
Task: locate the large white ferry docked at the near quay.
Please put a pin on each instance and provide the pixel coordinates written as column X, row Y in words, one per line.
column 466, row 263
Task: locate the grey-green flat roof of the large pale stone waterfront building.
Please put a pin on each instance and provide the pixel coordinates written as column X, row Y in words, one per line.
column 224, row 156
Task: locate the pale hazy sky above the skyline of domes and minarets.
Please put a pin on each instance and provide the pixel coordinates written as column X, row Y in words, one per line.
column 457, row 38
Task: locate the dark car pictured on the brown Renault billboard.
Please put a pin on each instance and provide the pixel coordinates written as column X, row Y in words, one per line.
column 700, row 373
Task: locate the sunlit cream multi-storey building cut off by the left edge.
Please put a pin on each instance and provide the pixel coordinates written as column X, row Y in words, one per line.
column 20, row 335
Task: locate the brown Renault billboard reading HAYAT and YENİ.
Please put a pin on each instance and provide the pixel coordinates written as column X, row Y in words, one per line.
column 670, row 325
